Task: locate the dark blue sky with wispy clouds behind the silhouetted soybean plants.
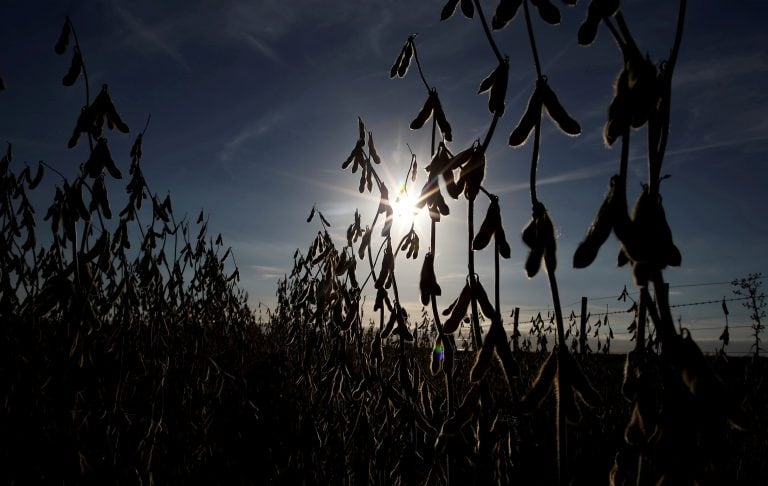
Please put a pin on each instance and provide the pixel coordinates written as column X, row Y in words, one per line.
column 254, row 106
